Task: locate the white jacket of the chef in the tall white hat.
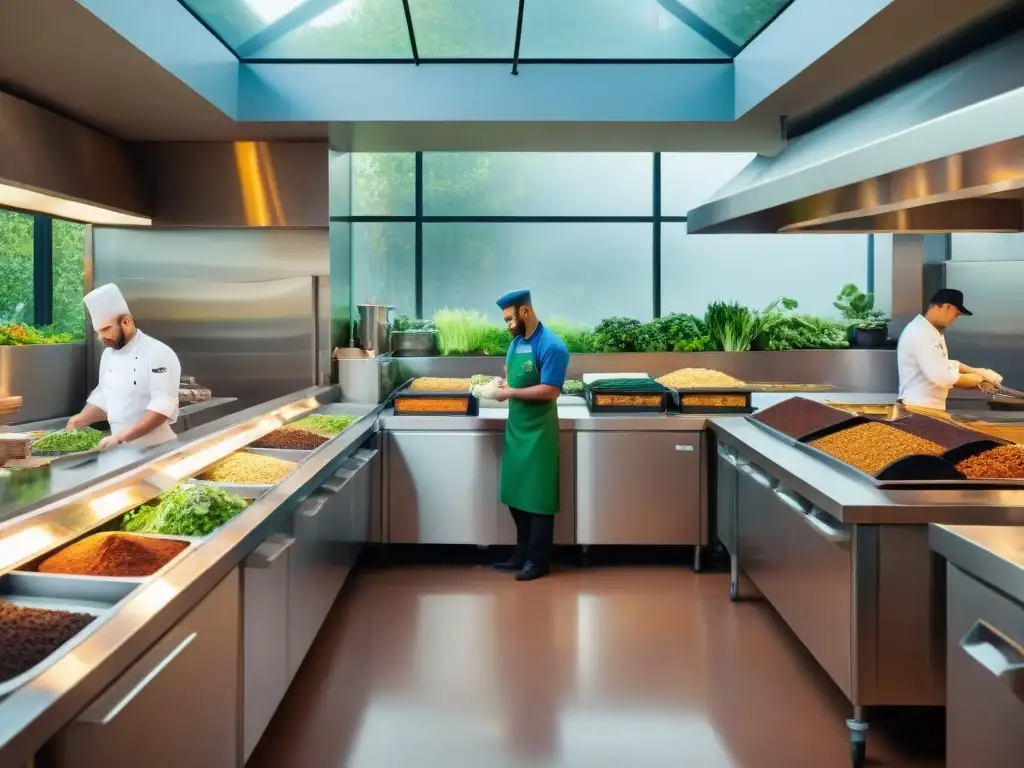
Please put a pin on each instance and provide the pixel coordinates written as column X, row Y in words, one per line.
column 142, row 376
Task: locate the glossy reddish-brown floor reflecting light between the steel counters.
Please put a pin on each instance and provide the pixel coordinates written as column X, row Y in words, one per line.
column 460, row 667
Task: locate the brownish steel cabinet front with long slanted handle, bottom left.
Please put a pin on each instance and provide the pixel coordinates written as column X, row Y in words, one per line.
column 178, row 706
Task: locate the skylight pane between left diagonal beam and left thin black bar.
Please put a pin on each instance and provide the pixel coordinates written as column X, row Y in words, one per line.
column 351, row 29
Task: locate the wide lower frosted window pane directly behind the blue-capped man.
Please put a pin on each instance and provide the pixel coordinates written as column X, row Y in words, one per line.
column 580, row 273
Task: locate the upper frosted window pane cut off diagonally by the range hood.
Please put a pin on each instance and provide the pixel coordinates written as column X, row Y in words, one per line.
column 692, row 179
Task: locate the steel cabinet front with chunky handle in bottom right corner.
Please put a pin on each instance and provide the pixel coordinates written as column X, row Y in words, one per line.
column 985, row 675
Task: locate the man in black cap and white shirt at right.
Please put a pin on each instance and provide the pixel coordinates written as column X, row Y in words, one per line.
column 926, row 373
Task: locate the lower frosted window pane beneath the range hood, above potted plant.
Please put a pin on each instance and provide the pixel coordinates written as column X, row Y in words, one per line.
column 756, row 270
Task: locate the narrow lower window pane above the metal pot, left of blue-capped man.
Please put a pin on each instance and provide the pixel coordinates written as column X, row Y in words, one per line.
column 385, row 265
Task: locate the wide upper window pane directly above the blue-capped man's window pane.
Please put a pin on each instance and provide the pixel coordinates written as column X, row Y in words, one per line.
column 466, row 185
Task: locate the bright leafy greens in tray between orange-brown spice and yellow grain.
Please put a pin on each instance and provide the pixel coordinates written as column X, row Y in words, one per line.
column 186, row 510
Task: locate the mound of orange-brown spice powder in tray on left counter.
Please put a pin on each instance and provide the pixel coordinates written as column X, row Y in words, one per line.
column 114, row 554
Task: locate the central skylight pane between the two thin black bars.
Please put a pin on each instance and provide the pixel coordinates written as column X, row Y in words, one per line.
column 465, row 29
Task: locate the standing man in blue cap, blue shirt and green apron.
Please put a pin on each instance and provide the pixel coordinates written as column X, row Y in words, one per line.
column 535, row 372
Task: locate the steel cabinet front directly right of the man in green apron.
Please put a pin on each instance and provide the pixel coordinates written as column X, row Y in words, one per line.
column 639, row 488
